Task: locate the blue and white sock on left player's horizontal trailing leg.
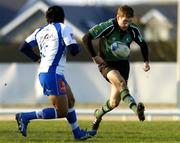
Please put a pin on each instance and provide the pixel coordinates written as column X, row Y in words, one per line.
column 47, row 113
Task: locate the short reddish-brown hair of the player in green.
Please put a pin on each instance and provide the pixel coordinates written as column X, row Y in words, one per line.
column 125, row 11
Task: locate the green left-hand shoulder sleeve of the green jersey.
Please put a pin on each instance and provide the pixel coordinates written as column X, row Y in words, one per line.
column 100, row 29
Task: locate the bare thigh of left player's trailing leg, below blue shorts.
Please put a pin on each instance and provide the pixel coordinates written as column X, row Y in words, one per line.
column 60, row 103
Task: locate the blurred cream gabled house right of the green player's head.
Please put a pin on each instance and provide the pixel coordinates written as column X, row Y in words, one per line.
column 159, row 21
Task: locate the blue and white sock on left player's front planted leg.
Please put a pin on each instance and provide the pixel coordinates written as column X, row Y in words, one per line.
column 71, row 117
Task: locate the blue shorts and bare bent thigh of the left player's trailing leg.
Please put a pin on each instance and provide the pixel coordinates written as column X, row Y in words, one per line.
column 54, row 86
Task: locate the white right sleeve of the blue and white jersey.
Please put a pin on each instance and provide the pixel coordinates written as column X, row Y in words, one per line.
column 68, row 36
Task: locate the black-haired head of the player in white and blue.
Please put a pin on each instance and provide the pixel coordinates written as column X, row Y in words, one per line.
column 55, row 14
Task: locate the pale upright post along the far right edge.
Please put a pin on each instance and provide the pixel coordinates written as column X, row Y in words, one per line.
column 178, row 55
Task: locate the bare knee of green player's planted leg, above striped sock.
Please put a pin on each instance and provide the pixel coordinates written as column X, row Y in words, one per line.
column 114, row 97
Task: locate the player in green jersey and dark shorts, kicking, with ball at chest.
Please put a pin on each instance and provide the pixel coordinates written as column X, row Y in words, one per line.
column 112, row 58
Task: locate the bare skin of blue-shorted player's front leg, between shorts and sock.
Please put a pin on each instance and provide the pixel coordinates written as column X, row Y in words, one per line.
column 70, row 96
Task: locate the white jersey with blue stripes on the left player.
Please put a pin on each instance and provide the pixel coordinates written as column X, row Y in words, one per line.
column 52, row 40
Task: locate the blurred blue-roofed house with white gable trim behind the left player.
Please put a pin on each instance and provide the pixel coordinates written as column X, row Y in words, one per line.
column 31, row 15
